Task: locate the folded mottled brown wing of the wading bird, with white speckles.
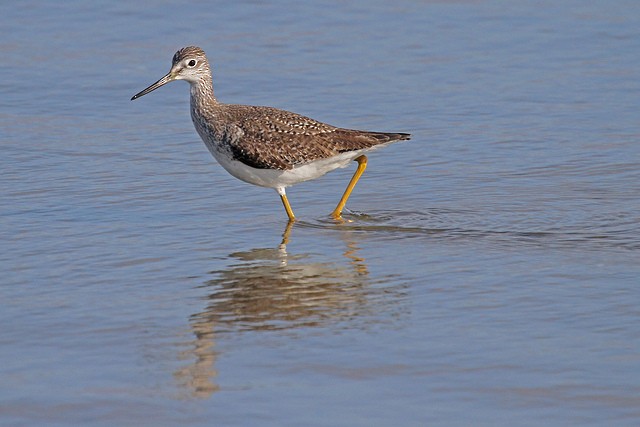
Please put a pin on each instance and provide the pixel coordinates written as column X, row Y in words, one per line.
column 278, row 139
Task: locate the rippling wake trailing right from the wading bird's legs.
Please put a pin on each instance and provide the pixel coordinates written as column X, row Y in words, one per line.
column 594, row 233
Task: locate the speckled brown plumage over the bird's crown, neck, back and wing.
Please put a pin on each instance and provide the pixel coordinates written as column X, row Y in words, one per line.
column 266, row 137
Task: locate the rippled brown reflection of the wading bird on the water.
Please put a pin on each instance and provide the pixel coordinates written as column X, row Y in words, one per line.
column 272, row 290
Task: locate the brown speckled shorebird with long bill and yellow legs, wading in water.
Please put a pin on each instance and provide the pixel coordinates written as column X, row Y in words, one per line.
column 266, row 146
